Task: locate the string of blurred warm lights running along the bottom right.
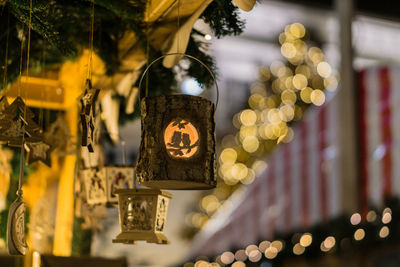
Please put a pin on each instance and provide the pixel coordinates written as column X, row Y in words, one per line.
column 299, row 243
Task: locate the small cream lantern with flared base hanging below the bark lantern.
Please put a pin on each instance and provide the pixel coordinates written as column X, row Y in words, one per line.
column 142, row 215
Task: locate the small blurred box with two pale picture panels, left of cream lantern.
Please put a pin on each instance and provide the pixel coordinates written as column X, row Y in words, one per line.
column 100, row 185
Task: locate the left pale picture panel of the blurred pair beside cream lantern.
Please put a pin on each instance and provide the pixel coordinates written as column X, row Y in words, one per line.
column 95, row 185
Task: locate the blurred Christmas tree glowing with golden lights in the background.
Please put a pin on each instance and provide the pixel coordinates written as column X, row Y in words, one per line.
column 279, row 97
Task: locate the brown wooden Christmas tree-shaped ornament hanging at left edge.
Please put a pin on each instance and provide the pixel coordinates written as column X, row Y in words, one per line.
column 17, row 124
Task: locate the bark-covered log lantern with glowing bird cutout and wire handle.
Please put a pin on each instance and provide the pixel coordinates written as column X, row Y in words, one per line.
column 177, row 149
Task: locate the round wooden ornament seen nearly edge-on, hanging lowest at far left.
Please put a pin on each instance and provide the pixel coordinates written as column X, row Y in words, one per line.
column 16, row 241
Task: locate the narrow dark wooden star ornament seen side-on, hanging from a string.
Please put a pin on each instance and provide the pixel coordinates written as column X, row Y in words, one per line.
column 88, row 116
